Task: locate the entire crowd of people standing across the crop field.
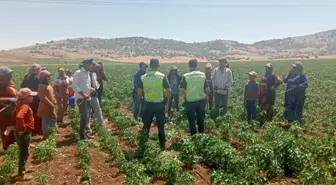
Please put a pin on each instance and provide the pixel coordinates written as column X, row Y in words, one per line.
column 31, row 110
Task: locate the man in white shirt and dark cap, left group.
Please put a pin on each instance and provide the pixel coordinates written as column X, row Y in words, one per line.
column 82, row 87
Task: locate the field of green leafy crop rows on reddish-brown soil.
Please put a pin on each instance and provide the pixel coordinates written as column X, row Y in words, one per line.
column 231, row 152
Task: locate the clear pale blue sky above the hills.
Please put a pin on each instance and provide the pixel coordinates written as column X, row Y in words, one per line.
column 26, row 22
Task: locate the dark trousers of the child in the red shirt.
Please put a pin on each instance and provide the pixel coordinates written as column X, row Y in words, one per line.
column 23, row 142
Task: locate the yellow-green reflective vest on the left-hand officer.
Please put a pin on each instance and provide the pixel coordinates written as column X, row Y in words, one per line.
column 152, row 86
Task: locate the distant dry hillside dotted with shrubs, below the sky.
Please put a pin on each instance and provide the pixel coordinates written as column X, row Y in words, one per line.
column 309, row 46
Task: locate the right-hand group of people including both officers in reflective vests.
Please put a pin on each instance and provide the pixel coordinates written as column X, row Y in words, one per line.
column 154, row 94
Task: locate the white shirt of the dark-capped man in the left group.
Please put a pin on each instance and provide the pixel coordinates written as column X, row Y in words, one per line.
column 81, row 82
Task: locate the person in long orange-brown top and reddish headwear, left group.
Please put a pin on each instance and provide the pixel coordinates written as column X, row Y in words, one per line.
column 46, row 109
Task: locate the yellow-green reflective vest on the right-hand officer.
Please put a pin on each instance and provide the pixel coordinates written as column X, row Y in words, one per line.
column 195, row 86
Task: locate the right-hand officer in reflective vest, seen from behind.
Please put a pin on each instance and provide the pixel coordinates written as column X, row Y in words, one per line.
column 195, row 88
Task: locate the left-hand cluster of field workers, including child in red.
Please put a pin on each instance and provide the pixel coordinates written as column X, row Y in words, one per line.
column 32, row 109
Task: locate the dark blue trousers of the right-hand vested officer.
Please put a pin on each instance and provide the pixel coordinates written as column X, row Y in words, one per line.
column 196, row 110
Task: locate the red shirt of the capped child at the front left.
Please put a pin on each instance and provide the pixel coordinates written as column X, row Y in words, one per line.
column 23, row 117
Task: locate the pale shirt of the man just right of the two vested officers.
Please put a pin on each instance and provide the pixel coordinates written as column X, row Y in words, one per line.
column 222, row 79
